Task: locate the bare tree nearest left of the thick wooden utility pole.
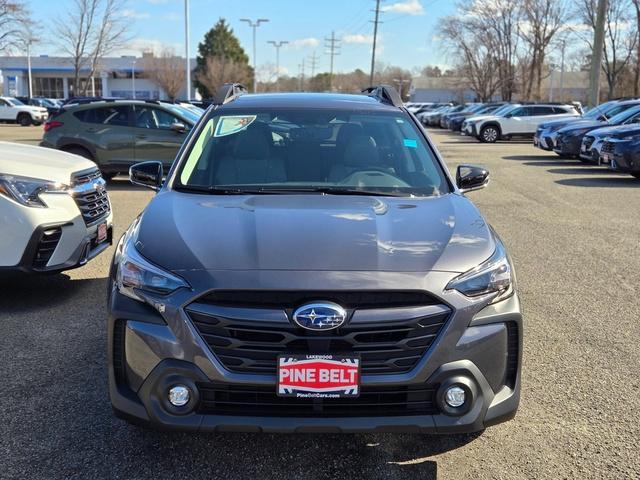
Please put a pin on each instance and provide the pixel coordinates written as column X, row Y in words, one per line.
column 541, row 22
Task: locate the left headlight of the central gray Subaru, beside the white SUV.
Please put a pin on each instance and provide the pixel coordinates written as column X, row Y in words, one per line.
column 136, row 275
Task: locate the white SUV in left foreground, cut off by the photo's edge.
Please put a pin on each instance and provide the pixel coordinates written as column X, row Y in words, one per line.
column 55, row 213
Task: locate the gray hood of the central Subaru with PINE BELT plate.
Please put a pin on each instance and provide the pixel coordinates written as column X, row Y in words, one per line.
column 181, row 231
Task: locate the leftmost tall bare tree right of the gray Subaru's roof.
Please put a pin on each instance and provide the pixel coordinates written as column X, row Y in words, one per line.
column 478, row 63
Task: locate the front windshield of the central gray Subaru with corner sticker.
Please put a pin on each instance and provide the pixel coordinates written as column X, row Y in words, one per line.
column 317, row 150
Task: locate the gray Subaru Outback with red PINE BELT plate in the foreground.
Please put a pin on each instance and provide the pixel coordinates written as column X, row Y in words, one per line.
column 310, row 265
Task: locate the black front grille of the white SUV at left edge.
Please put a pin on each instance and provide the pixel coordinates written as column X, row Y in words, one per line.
column 91, row 196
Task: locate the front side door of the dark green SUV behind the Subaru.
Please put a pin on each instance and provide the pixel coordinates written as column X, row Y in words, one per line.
column 155, row 138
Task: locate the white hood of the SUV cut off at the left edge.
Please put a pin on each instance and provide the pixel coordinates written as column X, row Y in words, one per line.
column 38, row 162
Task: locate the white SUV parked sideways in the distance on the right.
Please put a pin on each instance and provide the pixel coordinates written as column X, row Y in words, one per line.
column 521, row 120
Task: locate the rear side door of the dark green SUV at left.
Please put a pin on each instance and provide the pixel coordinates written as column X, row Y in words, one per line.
column 108, row 130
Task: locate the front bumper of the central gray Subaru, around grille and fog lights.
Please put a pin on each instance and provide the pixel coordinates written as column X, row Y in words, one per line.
column 150, row 351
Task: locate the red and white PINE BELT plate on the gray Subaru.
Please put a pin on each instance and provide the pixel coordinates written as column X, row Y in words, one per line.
column 318, row 376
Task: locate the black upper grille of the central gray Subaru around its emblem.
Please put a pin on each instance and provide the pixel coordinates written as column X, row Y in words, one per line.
column 248, row 340
